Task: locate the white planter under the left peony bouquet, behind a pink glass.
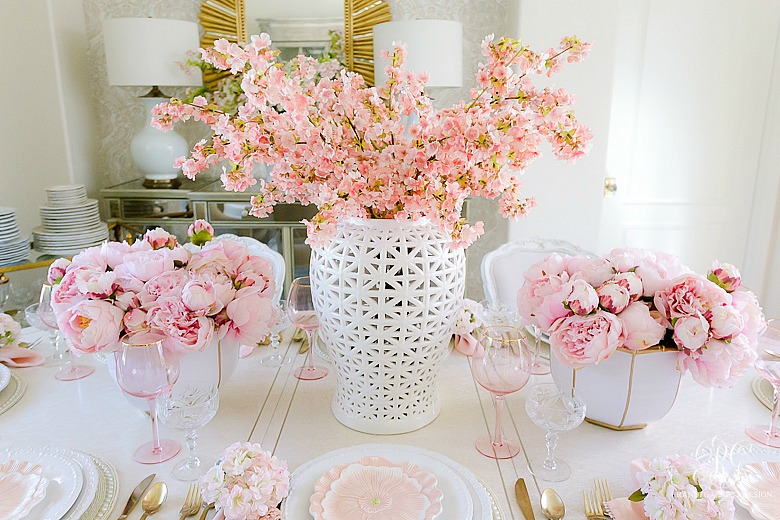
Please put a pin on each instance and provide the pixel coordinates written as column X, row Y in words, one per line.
column 214, row 364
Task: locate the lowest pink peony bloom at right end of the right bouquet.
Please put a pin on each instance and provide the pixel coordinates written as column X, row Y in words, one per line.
column 720, row 363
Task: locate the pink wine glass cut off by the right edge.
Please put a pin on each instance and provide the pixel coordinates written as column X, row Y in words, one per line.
column 768, row 365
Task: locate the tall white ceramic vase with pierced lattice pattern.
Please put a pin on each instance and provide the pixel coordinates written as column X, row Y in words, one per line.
column 387, row 293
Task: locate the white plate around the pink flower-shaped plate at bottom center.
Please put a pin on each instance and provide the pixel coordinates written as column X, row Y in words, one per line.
column 464, row 497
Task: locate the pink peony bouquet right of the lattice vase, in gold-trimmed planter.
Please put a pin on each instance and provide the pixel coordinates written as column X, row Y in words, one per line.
column 635, row 299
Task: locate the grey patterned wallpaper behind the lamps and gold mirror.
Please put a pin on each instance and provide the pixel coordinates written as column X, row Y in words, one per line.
column 121, row 115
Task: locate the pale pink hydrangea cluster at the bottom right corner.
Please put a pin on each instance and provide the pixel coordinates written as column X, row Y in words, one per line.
column 680, row 488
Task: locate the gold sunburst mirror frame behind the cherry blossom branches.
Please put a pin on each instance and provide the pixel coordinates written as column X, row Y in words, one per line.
column 226, row 19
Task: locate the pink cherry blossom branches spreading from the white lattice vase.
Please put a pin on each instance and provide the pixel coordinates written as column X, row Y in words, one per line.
column 383, row 152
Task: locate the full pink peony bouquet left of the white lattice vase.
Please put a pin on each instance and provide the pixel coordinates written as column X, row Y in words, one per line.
column 190, row 293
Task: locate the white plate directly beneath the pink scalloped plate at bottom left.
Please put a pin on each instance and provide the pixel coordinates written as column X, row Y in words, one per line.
column 65, row 479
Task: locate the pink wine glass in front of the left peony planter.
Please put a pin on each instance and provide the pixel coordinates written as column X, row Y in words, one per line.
column 144, row 370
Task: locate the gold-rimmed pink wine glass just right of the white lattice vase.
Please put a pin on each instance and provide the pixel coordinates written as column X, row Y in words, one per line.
column 503, row 368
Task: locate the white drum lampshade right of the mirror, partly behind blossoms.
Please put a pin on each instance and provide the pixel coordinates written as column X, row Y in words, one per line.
column 435, row 46
